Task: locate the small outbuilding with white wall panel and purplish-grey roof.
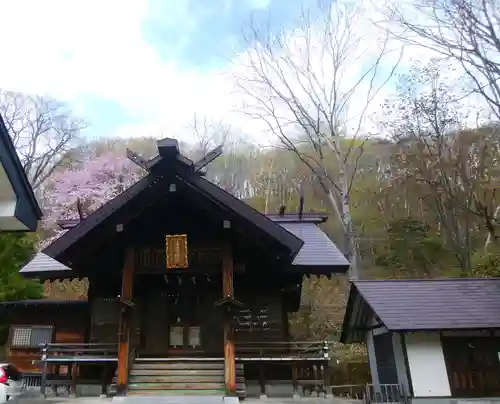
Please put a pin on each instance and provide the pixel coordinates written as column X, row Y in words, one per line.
column 428, row 338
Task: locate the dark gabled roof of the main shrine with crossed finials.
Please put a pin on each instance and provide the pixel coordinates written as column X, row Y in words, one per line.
column 305, row 243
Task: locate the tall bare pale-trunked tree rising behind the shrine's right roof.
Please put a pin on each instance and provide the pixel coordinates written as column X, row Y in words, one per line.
column 296, row 85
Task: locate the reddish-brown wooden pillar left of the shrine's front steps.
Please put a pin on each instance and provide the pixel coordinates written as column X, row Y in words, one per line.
column 125, row 322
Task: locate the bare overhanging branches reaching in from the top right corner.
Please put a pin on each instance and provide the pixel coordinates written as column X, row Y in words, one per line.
column 468, row 31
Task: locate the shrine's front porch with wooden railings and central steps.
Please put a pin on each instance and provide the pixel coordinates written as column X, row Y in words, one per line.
column 304, row 369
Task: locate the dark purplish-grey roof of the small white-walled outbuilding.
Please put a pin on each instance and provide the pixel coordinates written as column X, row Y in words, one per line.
column 425, row 304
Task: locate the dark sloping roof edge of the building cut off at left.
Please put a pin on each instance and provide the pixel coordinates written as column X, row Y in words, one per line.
column 27, row 209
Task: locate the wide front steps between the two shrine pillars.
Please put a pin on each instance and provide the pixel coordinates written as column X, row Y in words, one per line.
column 157, row 377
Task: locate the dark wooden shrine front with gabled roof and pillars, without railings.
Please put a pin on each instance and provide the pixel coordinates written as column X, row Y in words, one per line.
column 243, row 275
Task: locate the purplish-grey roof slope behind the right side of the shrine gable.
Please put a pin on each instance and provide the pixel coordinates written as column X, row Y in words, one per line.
column 318, row 249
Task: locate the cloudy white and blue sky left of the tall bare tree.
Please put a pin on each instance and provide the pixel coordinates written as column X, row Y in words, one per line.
column 139, row 67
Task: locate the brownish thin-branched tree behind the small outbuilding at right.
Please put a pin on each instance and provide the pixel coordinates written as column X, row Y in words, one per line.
column 452, row 168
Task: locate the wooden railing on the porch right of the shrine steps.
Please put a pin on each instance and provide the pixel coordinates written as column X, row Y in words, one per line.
column 284, row 351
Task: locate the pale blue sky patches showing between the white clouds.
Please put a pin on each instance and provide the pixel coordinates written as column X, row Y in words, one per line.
column 198, row 35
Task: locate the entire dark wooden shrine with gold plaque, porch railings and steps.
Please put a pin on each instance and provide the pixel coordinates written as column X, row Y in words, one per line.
column 189, row 290
